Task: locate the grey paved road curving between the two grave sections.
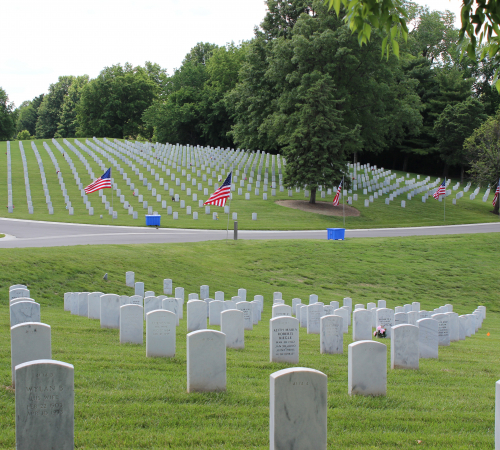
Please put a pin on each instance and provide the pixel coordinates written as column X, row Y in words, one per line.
column 31, row 233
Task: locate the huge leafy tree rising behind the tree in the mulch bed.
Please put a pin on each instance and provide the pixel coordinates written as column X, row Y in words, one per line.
column 374, row 97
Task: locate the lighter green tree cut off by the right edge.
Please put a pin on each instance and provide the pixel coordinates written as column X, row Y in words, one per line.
column 483, row 151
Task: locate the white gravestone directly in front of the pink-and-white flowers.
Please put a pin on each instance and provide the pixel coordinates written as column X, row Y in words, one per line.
column 367, row 368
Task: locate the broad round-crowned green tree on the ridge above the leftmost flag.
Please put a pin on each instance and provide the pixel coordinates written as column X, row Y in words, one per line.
column 112, row 104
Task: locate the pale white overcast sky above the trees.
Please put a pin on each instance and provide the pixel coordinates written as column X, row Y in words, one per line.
column 43, row 40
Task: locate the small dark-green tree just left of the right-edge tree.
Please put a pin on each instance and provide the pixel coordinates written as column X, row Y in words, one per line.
column 455, row 124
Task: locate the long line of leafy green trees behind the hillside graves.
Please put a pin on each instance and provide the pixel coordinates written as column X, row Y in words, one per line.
column 303, row 87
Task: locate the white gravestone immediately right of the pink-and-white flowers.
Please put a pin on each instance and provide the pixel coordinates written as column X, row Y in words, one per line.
column 404, row 347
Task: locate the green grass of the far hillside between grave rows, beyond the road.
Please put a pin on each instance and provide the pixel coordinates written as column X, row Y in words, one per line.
column 270, row 215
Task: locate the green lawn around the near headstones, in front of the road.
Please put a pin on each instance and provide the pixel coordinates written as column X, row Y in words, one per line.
column 125, row 400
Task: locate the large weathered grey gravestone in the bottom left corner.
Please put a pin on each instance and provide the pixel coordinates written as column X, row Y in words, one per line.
column 45, row 405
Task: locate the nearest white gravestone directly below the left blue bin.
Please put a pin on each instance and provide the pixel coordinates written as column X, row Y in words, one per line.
column 160, row 333
